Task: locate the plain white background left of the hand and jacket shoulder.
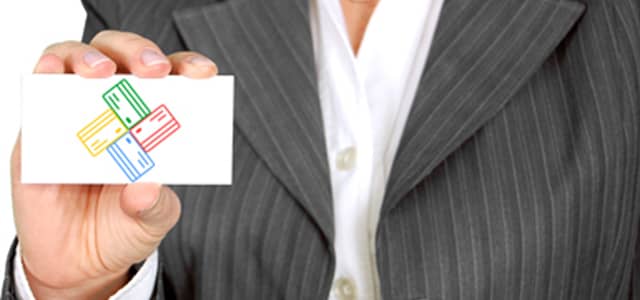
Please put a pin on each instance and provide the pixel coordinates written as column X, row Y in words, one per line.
column 26, row 27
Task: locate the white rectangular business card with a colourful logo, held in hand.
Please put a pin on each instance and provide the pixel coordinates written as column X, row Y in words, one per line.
column 126, row 129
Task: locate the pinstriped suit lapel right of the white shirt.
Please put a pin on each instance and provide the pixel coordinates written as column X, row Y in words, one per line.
column 482, row 53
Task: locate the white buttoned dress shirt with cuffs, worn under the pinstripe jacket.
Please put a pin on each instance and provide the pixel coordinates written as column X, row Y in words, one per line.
column 365, row 103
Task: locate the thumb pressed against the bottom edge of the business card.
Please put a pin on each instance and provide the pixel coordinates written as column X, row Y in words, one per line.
column 157, row 207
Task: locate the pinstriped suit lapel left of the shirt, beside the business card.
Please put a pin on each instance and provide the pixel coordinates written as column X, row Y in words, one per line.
column 267, row 45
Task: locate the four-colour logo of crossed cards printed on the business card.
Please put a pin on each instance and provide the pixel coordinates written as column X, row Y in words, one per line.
column 128, row 130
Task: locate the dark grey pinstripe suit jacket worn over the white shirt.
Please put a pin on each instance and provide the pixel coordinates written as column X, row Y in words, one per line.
column 516, row 177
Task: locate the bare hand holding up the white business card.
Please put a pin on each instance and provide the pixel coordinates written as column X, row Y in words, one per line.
column 78, row 241
